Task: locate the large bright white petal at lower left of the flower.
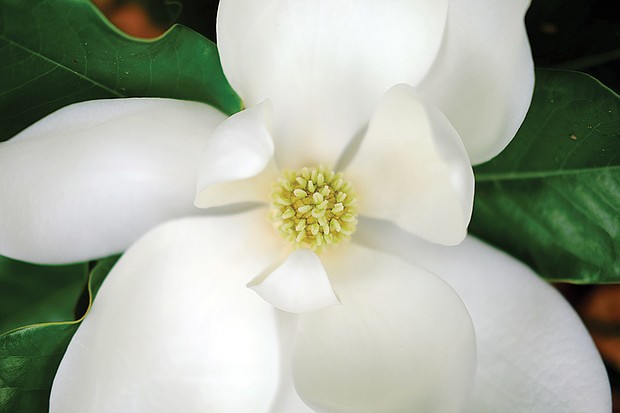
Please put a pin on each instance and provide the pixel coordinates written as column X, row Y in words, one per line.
column 174, row 329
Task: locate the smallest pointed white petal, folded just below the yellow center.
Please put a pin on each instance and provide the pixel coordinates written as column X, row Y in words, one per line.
column 300, row 284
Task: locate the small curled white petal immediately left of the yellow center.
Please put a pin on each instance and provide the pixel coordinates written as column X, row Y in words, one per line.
column 234, row 159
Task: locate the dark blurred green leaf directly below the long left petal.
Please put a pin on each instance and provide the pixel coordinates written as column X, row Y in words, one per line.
column 35, row 294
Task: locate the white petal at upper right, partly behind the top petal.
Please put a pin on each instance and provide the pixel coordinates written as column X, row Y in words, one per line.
column 483, row 77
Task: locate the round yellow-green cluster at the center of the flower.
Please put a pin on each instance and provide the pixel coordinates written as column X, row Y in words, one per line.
column 314, row 207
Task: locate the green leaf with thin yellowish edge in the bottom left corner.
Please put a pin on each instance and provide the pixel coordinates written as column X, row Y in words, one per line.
column 29, row 356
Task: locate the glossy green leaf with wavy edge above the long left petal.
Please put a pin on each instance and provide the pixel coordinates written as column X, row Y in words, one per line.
column 59, row 52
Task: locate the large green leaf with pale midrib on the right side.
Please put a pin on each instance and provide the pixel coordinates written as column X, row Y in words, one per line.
column 552, row 198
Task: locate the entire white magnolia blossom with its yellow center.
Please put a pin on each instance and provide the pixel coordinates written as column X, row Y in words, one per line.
column 330, row 195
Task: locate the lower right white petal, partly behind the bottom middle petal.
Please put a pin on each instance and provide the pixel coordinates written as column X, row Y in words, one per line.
column 534, row 354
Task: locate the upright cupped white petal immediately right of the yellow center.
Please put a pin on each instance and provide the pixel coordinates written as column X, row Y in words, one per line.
column 413, row 170
